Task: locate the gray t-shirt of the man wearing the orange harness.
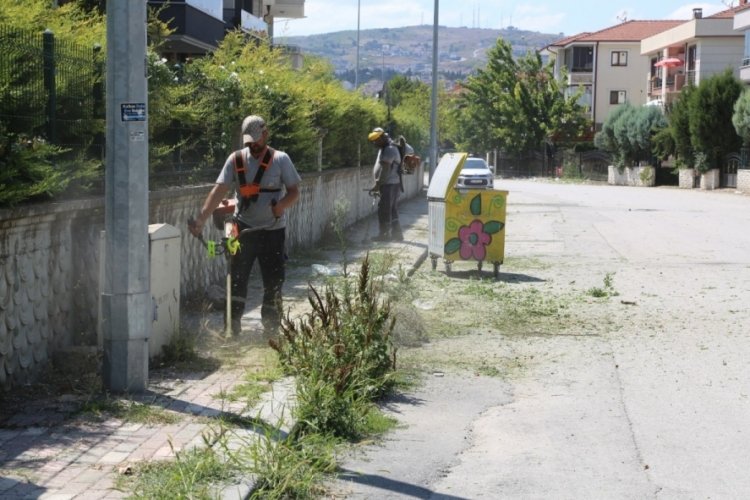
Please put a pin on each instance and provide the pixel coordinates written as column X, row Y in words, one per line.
column 279, row 175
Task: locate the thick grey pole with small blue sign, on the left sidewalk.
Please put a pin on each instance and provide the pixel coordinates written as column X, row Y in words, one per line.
column 126, row 295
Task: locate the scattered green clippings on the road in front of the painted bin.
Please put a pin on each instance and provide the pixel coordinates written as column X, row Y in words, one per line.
column 474, row 321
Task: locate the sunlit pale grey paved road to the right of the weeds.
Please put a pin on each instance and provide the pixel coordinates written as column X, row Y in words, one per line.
column 656, row 404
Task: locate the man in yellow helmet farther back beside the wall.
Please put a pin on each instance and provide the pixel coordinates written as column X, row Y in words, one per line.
column 387, row 176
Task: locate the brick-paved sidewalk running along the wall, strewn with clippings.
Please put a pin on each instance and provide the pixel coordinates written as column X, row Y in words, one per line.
column 47, row 452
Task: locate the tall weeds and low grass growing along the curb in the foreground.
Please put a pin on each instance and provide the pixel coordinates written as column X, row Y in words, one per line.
column 342, row 357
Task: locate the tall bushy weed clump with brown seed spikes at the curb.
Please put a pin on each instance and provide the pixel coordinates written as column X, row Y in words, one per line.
column 341, row 354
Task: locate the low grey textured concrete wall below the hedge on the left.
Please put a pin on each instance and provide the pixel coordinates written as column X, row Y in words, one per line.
column 49, row 260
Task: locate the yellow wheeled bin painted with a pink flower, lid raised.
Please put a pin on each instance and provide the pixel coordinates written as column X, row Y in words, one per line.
column 464, row 224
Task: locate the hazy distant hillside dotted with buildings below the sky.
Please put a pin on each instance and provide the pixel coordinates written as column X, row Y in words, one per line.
column 409, row 49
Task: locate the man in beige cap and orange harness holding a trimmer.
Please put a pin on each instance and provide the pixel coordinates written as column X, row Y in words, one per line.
column 267, row 184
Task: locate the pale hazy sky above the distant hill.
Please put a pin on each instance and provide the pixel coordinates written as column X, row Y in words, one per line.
column 547, row 16
